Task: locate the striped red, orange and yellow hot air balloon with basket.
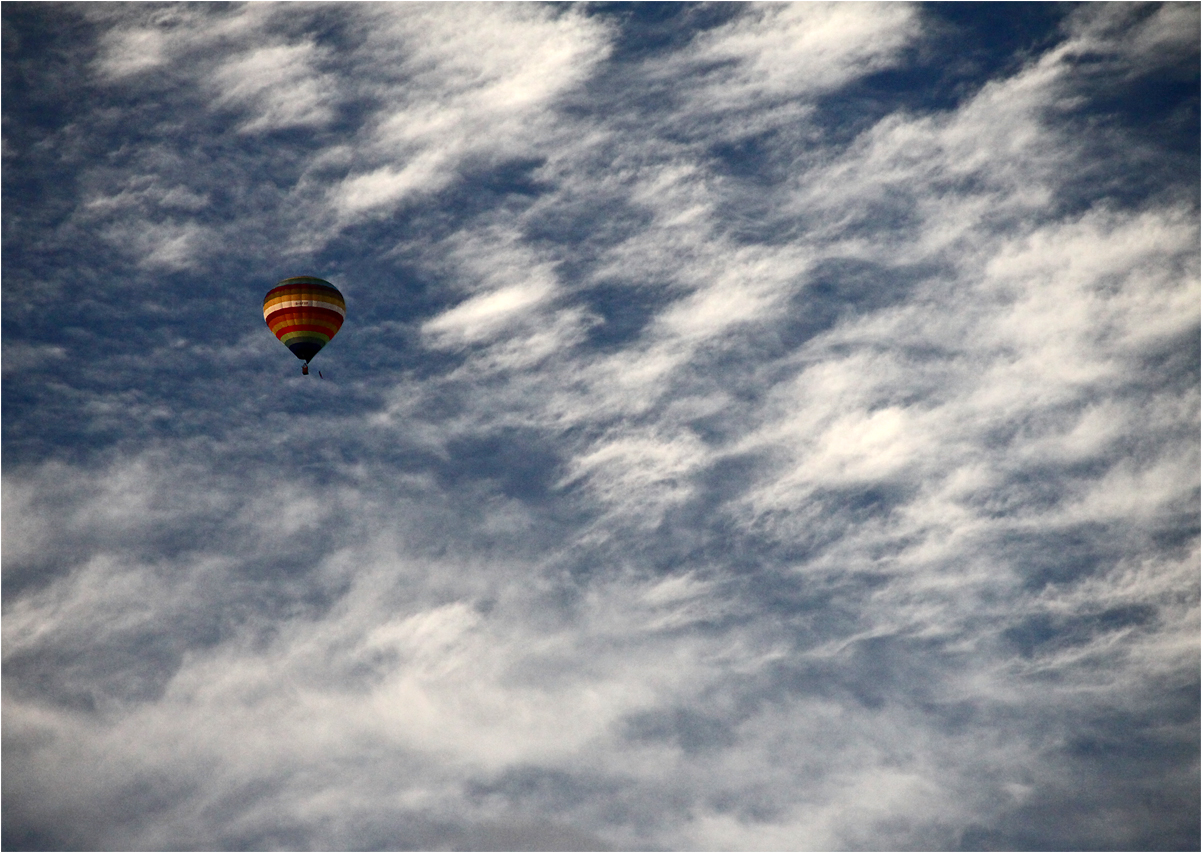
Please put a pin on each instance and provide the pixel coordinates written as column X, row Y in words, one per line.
column 305, row 313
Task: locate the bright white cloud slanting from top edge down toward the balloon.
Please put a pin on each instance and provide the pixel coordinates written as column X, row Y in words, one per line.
column 475, row 83
